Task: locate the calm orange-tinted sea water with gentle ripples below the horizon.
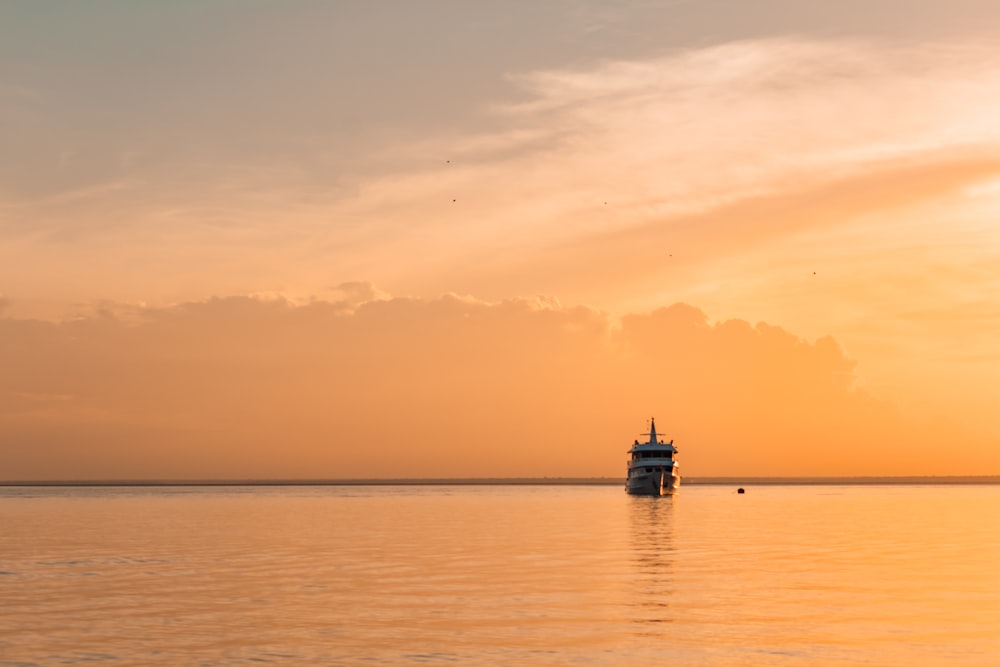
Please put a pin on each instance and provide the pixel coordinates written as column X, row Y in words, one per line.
column 488, row 575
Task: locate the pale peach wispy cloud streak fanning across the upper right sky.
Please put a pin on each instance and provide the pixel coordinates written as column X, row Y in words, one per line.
column 695, row 131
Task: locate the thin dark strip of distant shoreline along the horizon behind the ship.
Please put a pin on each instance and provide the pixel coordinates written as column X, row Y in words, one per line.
column 521, row 481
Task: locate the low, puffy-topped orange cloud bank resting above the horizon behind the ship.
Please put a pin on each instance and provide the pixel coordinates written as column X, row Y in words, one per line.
column 240, row 387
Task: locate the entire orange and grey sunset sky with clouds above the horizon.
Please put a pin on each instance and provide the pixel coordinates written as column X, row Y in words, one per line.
column 447, row 239
